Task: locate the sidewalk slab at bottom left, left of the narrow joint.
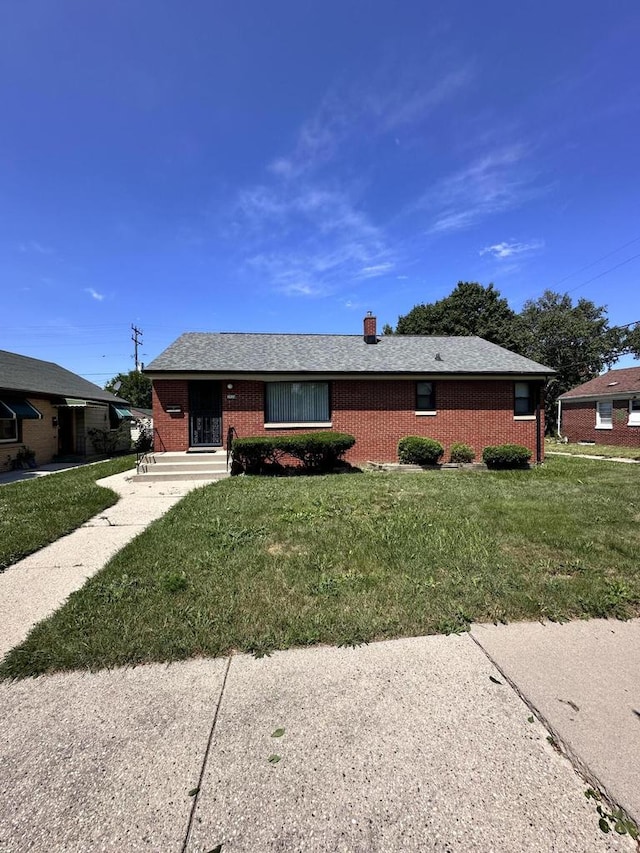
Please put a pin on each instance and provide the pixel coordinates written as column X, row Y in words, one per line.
column 104, row 761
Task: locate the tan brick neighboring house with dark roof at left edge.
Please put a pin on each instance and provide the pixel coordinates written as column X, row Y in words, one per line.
column 51, row 410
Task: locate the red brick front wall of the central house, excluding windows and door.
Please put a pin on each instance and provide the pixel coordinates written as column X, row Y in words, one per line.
column 377, row 412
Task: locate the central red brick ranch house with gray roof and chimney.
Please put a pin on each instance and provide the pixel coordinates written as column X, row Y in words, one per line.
column 379, row 389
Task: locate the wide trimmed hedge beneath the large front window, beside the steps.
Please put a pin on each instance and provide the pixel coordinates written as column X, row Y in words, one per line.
column 316, row 451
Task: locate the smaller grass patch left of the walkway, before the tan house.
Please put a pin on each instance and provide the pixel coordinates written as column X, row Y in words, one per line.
column 35, row 512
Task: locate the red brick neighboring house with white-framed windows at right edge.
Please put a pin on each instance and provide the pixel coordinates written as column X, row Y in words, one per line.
column 605, row 410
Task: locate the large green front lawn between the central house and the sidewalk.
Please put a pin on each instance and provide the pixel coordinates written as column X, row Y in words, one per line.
column 260, row 564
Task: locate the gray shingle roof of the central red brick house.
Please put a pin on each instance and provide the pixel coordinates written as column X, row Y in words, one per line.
column 238, row 352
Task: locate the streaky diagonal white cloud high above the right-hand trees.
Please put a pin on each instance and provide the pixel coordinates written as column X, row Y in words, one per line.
column 491, row 184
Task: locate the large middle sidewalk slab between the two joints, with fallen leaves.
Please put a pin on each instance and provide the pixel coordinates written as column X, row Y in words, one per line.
column 404, row 745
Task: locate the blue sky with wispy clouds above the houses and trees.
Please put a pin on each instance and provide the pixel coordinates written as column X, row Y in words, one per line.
column 287, row 166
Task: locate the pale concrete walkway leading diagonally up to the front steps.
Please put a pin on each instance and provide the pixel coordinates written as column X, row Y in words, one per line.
column 34, row 587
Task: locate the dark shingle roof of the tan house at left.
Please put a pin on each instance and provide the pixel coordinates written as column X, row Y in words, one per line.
column 25, row 375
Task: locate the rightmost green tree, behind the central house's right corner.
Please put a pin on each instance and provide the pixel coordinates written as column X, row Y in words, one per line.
column 575, row 340
